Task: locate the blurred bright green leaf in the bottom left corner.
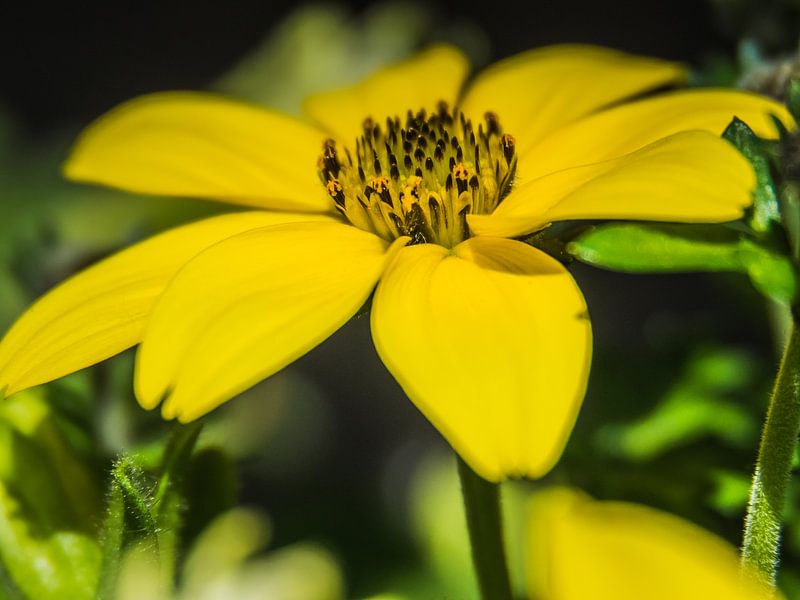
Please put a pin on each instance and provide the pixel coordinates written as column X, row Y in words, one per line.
column 47, row 505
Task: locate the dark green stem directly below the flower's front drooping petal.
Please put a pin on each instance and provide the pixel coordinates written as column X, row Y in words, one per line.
column 484, row 521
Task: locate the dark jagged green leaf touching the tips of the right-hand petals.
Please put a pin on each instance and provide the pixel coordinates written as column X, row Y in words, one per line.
column 765, row 199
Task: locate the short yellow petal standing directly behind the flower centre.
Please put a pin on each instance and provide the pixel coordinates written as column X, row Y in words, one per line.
column 420, row 82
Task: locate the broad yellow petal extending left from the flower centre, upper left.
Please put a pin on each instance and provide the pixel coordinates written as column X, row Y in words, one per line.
column 204, row 146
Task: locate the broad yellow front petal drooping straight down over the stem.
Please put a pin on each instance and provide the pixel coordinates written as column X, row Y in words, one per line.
column 492, row 343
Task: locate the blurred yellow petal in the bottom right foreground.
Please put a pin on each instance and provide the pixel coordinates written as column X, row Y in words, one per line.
column 581, row 549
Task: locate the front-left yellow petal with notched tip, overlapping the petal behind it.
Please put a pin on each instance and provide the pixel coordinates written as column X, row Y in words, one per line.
column 249, row 306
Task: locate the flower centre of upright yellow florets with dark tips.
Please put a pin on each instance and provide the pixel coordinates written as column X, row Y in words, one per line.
column 421, row 177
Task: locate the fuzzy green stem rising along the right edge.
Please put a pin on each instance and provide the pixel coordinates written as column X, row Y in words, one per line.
column 772, row 474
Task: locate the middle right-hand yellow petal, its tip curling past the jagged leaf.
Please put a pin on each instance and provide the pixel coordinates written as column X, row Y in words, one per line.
column 626, row 128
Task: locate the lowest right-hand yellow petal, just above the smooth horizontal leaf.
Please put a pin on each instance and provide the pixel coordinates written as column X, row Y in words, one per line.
column 692, row 176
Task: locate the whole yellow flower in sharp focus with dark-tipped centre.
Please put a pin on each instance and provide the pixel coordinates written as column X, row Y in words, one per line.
column 404, row 183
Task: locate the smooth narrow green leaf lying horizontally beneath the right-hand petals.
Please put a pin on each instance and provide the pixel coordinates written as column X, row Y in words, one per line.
column 640, row 248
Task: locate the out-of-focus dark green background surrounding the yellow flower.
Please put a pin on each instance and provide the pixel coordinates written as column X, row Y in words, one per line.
column 342, row 478
